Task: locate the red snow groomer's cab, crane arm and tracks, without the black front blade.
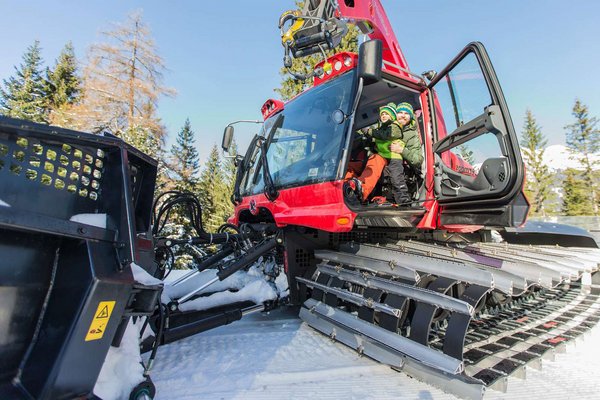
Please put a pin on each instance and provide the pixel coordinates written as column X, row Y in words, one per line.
column 450, row 286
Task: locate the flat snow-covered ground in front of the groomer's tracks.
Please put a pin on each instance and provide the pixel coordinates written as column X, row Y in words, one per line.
column 277, row 356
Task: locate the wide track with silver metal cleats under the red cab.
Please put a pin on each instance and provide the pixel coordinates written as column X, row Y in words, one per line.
column 465, row 323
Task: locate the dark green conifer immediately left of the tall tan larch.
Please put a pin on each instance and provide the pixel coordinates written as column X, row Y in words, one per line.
column 63, row 88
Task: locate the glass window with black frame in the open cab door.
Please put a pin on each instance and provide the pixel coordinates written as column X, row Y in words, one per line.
column 476, row 151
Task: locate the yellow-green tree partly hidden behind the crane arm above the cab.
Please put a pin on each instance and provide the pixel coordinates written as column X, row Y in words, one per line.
column 290, row 86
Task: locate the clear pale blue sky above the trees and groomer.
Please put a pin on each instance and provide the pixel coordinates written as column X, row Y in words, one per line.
column 224, row 57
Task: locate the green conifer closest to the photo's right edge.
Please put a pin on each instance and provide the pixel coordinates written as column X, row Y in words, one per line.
column 583, row 140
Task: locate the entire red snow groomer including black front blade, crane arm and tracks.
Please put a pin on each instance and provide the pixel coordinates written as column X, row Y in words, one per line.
column 448, row 285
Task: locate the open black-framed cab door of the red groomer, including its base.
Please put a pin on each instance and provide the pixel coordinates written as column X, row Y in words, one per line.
column 478, row 167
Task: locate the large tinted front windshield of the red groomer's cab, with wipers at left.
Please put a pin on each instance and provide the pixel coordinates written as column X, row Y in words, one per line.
column 305, row 145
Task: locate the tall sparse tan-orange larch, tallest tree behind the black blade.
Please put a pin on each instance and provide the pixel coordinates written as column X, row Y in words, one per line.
column 122, row 85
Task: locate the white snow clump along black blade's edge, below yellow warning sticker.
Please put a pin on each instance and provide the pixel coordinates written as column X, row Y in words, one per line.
column 122, row 369
